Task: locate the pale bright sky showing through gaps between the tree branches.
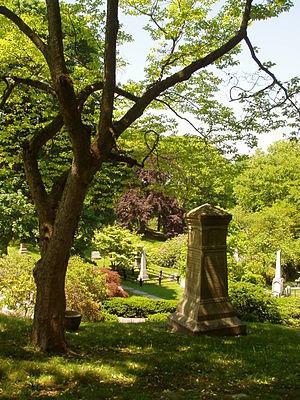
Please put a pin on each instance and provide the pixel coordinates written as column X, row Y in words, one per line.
column 276, row 38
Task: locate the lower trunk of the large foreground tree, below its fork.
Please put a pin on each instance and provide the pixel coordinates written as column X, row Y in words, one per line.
column 48, row 332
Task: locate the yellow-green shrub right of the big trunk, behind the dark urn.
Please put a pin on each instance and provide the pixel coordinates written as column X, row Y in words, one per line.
column 85, row 288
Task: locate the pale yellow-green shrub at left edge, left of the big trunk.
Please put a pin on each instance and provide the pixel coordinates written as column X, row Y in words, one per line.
column 17, row 283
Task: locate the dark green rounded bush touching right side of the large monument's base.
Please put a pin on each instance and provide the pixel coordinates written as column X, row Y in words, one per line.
column 253, row 303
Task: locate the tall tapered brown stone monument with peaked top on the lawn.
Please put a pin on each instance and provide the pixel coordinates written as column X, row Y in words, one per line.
column 205, row 307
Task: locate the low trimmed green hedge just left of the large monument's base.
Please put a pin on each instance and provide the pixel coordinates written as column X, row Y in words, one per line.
column 140, row 307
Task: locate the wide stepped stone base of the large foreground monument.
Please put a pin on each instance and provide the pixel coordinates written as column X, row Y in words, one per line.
column 216, row 317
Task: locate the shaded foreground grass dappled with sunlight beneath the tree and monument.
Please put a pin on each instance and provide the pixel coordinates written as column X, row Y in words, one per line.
column 143, row 361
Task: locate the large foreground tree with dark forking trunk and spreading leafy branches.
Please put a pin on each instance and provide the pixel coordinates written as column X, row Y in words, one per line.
column 43, row 54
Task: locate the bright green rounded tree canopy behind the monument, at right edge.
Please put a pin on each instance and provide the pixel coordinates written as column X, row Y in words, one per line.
column 266, row 217
